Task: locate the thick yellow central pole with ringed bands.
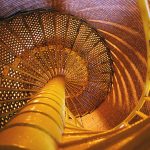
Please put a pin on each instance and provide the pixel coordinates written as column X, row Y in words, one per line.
column 40, row 124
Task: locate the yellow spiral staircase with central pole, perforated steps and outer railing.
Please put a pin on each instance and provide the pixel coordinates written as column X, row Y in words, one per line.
column 54, row 70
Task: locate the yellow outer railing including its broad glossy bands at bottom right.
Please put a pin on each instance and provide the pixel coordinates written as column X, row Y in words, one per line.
column 131, row 134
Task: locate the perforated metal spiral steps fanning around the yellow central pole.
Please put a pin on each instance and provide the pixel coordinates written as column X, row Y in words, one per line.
column 36, row 46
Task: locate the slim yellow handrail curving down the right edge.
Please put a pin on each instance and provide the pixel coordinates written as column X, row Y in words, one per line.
column 145, row 14
